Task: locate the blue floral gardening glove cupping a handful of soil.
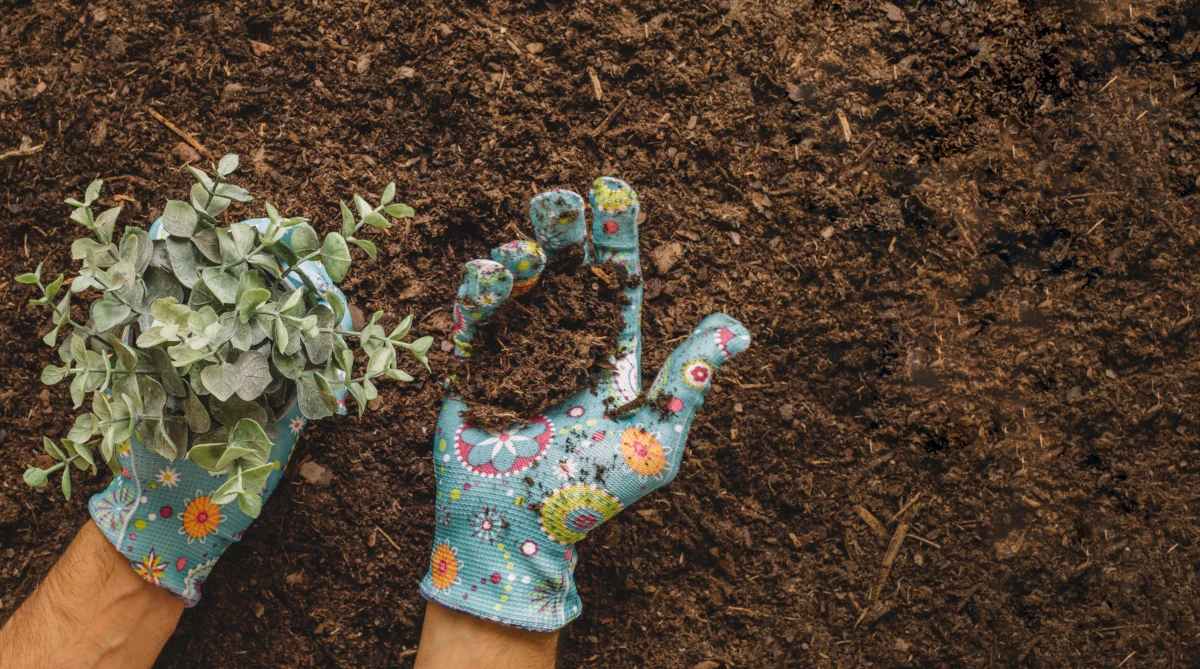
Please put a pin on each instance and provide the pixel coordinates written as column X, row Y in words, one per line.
column 513, row 505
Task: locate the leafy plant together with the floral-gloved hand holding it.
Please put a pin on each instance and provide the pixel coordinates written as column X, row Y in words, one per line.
column 206, row 353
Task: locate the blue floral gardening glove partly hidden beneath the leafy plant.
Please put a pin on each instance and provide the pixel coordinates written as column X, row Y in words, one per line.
column 160, row 514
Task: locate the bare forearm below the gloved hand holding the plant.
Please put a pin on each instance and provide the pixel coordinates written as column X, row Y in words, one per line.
column 92, row 612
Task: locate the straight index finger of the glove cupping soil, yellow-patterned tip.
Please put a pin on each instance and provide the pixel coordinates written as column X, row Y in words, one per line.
column 615, row 213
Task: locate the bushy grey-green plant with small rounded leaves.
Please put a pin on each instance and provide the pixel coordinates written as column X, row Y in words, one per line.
column 199, row 337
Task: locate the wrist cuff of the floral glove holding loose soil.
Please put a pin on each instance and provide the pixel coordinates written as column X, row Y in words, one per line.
column 483, row 581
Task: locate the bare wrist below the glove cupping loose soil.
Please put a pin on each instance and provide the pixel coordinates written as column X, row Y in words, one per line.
column 455, row 641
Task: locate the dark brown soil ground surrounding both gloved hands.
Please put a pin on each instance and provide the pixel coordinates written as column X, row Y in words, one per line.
column 963, row 236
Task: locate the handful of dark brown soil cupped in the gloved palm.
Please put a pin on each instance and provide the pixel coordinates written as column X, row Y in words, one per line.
column 539, row 348
